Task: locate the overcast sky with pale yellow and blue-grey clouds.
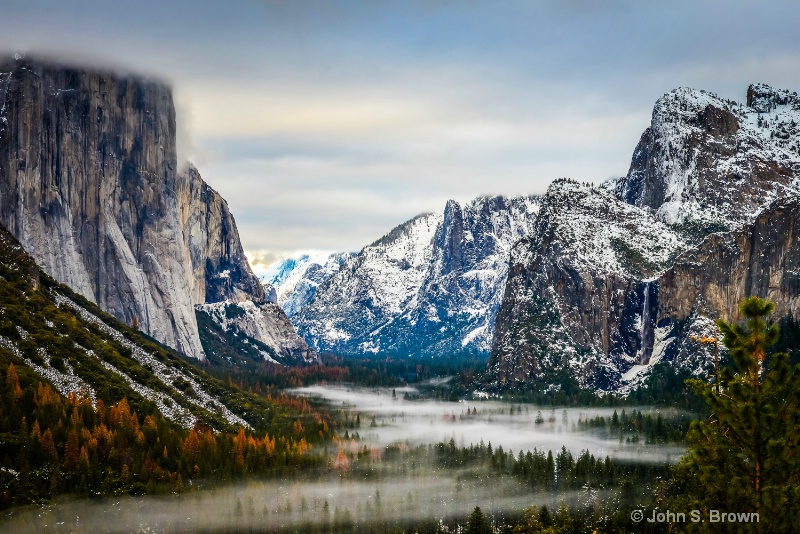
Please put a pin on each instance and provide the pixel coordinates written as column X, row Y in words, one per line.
column 325, row 124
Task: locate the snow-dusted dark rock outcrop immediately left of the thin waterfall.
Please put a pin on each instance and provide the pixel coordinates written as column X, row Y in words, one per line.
column 575, row 301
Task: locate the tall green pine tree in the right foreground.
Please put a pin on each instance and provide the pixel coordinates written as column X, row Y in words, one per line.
column 744, row 458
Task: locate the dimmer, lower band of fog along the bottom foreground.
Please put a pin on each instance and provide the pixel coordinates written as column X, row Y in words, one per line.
column 276, row 505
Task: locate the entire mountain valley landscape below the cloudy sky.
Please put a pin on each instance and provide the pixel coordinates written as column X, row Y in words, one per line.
column 527, row 363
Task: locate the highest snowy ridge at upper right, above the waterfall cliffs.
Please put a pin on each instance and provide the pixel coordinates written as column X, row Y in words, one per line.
column 716, row 161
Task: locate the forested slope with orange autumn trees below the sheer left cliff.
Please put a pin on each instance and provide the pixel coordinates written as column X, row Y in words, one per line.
column 90, row 406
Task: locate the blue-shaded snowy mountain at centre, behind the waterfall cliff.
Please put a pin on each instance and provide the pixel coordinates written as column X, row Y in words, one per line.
column 431, row 287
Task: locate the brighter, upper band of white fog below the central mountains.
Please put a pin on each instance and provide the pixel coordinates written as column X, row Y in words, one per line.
column 398, row 419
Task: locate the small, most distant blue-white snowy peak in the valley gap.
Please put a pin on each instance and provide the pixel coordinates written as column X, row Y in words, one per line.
column 295, row 279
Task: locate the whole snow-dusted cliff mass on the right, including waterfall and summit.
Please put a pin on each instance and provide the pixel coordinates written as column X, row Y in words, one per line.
column 615, row 278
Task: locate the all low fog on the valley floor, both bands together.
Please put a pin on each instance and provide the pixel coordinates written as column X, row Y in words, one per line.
column 427, row 492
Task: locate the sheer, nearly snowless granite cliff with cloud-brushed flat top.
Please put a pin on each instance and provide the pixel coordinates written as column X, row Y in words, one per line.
column 89, row 184
